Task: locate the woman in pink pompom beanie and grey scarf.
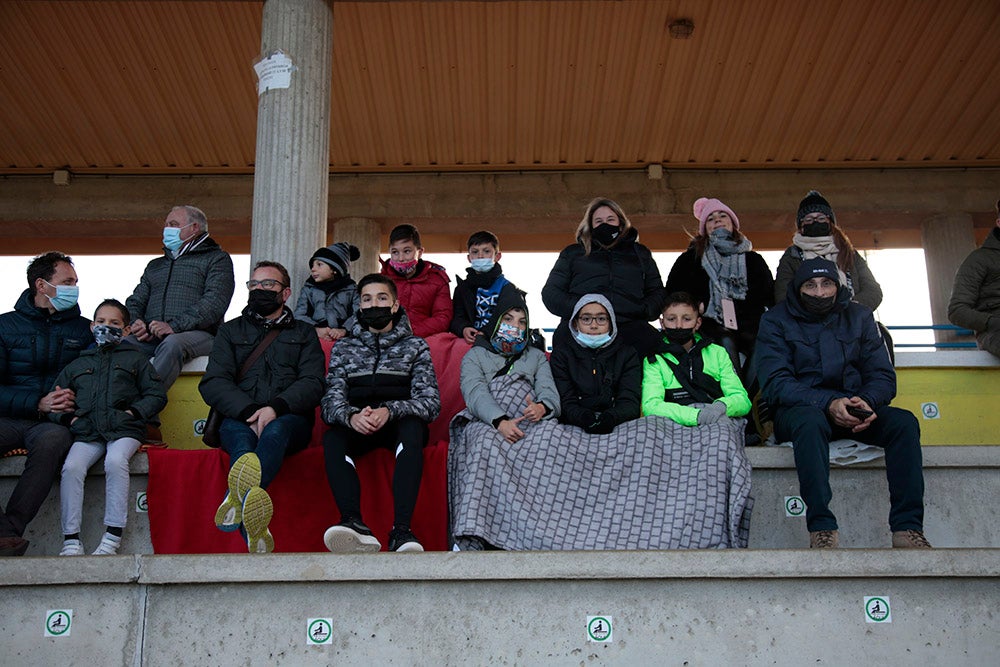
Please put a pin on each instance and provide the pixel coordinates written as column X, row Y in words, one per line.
column 733, row 283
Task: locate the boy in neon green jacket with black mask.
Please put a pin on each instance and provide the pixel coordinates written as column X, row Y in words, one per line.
column 689, row 379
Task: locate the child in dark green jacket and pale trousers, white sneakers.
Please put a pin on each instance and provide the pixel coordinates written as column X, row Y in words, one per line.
column 117, row 392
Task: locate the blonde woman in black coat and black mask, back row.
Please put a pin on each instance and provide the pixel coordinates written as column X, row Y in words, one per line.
column 607, row 259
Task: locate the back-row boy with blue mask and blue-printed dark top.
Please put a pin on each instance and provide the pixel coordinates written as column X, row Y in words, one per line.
column 477, row 295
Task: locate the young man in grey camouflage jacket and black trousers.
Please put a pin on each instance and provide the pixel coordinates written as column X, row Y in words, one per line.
column 381, row 392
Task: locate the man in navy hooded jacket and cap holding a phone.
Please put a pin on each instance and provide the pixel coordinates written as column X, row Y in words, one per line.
column 825, row 370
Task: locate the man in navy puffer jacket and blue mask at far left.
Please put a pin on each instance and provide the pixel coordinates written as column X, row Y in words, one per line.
column 38, row 338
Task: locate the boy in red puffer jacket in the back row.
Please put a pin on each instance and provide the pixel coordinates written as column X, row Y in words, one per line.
column 422, row 286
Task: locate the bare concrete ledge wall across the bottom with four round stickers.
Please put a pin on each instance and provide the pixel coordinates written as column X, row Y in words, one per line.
column 787, row 607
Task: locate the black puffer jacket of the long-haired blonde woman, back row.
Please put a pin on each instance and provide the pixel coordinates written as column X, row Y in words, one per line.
column 626, row 274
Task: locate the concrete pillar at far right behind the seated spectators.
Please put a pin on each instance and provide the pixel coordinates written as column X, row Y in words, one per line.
column 947, row 239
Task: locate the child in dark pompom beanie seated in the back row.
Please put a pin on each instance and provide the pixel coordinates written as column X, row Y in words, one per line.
column 329, row 296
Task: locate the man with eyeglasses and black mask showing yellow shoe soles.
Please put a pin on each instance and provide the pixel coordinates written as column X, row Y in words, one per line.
column 268, row 407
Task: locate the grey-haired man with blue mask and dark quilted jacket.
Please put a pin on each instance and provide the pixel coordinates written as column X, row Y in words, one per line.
column 182, row 297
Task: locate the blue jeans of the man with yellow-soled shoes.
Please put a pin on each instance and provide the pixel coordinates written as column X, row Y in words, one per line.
column 285, row 435
